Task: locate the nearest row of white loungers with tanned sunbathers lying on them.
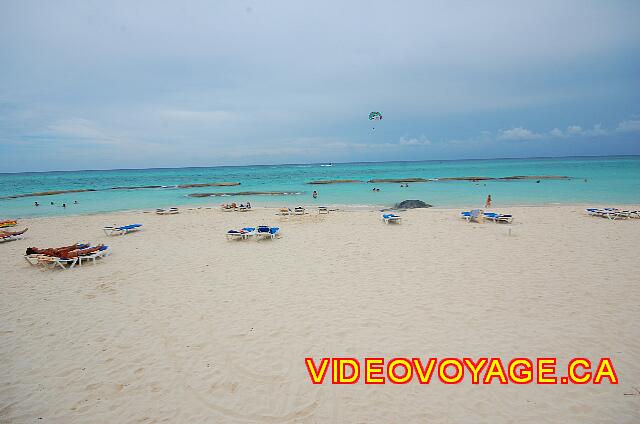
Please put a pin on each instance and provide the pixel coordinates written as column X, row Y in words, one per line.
column 80, row 254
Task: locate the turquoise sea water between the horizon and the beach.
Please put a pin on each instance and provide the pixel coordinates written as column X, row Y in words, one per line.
column 609, row 180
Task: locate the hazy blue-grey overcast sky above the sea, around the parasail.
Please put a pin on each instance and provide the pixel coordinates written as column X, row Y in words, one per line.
column 136, row 84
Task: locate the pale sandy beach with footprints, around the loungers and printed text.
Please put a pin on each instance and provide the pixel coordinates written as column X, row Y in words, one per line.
column 180, row 325
